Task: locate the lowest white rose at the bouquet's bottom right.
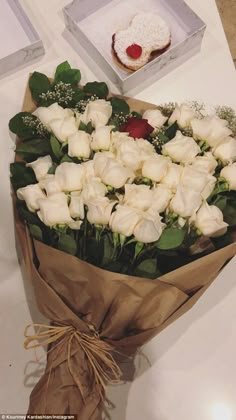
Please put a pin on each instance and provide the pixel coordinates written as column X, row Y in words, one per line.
column 209, row 220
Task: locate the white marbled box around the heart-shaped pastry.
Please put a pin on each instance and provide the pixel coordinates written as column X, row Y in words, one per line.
column 93, row 22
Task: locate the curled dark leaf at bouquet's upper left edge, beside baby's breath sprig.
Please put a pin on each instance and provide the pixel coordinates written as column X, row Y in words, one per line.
column 18, row 127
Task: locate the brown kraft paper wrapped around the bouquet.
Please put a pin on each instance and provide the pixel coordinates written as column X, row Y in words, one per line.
column 127, row 311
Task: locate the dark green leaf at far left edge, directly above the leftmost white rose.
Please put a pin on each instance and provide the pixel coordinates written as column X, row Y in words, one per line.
column 21, row 175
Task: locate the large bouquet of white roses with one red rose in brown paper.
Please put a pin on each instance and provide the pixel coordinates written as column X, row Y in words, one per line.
column 135, row 190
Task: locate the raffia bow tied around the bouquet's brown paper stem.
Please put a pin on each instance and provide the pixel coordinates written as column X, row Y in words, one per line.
column 98, row 352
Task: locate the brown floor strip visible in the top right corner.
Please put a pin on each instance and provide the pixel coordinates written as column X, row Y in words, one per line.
column 227, row 9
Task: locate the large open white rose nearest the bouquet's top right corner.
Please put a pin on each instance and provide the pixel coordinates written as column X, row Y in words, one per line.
column 210, row 129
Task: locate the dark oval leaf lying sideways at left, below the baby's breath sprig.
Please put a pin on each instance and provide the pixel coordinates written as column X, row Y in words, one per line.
column 32, row 149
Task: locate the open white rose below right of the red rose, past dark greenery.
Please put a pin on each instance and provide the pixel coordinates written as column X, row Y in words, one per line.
column 181, row 148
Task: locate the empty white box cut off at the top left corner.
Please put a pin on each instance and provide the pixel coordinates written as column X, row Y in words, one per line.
column 20, row 43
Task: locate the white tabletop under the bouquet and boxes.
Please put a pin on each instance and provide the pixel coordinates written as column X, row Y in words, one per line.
column 193, row 362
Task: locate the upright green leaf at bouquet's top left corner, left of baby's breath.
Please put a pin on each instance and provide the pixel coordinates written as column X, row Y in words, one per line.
column 38, row 84
